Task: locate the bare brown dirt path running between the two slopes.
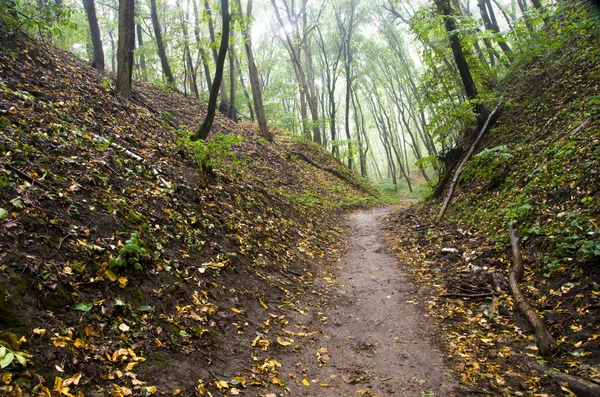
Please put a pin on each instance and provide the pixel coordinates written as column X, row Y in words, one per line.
column 377, row 339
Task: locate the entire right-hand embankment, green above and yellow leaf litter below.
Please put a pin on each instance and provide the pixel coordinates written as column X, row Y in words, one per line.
column 538, row 168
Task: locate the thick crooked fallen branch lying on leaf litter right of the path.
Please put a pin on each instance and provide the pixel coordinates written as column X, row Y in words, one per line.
column 543, row 338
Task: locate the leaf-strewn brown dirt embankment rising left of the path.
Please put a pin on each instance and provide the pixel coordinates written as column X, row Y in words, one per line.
column 130, row 263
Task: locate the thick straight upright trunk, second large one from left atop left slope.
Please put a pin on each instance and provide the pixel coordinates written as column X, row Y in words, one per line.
column 125, row 46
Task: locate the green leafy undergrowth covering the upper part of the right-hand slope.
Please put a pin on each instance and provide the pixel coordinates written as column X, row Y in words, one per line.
column 538, row 168
